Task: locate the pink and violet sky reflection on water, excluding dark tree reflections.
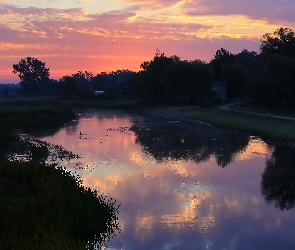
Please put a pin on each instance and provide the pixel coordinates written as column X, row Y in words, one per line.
column 177, row 204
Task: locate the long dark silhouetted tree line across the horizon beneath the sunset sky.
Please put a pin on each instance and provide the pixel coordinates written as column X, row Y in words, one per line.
column 267, row 77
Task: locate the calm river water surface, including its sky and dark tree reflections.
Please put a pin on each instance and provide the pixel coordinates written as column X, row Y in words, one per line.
column 184, row 184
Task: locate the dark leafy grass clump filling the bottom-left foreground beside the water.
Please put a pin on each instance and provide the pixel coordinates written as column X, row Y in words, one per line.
column 47, row 208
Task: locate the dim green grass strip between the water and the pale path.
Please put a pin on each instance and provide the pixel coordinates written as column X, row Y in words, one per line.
column 274, row 129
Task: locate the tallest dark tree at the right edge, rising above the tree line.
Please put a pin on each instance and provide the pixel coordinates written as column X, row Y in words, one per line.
column 278, row 52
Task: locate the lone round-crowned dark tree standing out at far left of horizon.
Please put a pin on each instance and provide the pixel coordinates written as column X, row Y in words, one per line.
column 32, row 73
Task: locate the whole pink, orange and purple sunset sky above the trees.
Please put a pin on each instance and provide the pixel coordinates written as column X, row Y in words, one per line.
column 107, row 35
